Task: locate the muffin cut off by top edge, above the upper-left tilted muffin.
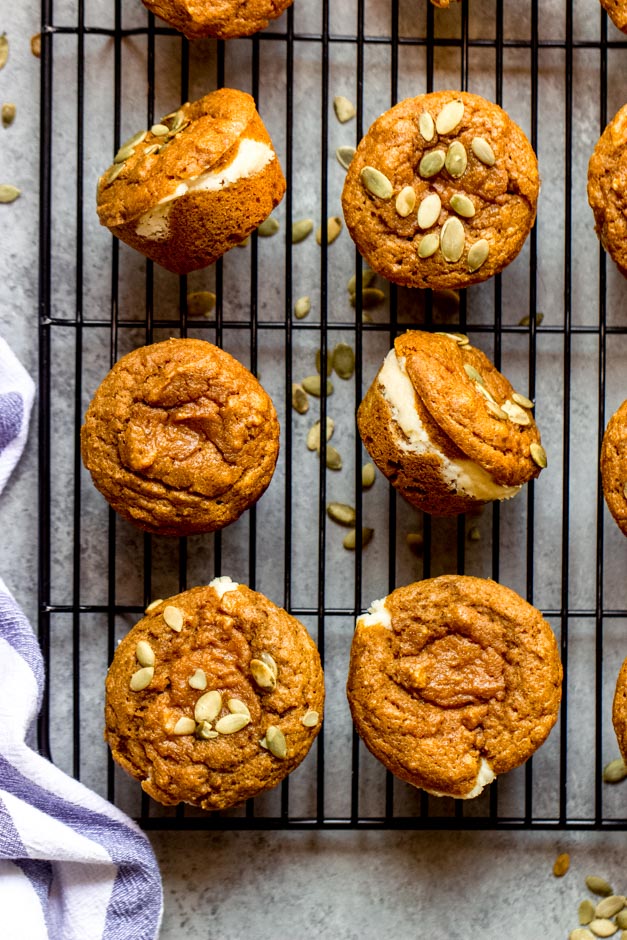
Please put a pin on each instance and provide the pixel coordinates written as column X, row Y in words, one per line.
column 224, row 19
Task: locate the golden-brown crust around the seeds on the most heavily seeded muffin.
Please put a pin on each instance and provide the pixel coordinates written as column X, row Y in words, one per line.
column 503, row 195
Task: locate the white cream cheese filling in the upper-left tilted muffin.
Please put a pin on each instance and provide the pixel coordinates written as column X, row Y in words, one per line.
column 250, row 159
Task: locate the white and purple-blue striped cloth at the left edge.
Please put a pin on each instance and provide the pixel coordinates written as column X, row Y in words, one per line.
column 72, row 866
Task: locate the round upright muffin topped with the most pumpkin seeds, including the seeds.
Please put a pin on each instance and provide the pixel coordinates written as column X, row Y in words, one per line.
column 442, row 191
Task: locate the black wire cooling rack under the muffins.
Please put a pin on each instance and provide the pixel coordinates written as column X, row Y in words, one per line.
column 553, row 321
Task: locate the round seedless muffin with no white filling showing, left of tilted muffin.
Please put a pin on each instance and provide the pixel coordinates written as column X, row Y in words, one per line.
column 180, row 438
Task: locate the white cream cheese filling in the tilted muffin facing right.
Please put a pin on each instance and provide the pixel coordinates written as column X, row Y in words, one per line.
column 465, row 477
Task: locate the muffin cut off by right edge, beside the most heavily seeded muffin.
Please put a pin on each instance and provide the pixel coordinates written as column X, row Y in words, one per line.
column 607, row 189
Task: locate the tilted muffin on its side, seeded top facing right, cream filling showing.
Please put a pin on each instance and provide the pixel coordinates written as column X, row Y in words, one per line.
column 446, row 428
